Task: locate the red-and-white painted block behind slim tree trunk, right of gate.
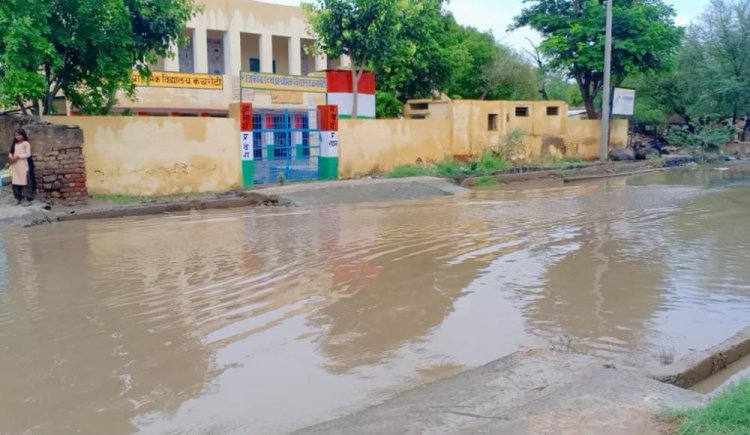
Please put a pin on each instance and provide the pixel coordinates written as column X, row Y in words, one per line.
column 340, row 93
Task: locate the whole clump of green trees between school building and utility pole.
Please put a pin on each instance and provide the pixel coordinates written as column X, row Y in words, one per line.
column 418, row 50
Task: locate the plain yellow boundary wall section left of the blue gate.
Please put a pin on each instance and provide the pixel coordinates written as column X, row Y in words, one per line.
column 157, row 156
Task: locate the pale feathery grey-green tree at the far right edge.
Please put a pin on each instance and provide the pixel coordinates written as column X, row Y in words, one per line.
column 715, row 61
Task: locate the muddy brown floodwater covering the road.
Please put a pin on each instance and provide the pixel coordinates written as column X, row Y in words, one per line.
column 268, row 320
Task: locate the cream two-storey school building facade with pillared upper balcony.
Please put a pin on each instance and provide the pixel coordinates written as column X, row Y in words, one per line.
column 229, row 38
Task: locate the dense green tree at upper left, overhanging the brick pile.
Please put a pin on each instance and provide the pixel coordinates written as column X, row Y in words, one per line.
column 86, row 49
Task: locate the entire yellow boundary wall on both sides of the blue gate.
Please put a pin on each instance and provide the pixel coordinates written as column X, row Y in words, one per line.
column 155, row 156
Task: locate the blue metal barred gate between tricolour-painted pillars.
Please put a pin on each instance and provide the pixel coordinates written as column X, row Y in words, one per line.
column 285, row 145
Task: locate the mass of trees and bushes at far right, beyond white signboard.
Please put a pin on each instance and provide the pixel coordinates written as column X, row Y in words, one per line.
column 711, row 71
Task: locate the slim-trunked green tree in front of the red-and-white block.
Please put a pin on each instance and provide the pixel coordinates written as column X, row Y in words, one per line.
column 361, row 29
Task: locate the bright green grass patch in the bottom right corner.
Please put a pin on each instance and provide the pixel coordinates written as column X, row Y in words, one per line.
column 728, row 414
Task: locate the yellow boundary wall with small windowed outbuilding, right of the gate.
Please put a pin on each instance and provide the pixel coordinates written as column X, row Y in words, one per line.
column 464, row 128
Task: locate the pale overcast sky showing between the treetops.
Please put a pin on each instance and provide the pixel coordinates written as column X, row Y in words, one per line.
column 496, row 15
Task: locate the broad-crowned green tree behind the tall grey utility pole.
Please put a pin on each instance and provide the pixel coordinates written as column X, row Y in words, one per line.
column 645, row 39
